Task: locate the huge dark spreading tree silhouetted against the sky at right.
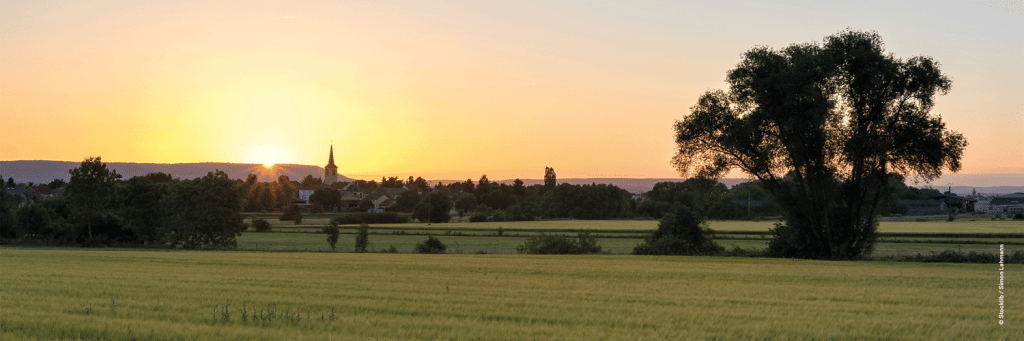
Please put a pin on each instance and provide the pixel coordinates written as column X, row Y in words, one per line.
column 823, row 126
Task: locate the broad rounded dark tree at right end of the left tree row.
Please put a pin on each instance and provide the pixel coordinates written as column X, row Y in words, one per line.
column 205, row 211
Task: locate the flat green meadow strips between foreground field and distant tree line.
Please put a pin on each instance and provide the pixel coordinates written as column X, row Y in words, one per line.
column 620, row 237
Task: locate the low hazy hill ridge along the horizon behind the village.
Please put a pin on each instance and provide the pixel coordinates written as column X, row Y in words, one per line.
column 47, row 172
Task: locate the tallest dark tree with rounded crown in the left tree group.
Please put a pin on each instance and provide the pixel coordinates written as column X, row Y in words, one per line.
column 92, row 190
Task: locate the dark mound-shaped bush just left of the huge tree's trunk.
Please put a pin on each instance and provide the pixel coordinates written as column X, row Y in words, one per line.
column 680, row 233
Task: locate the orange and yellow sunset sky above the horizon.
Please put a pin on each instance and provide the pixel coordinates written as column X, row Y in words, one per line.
column 450, row 90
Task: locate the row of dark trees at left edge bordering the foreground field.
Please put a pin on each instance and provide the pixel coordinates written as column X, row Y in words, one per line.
column 100, row 208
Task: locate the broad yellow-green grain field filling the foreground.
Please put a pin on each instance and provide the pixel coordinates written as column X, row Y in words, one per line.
column 161, row 295
